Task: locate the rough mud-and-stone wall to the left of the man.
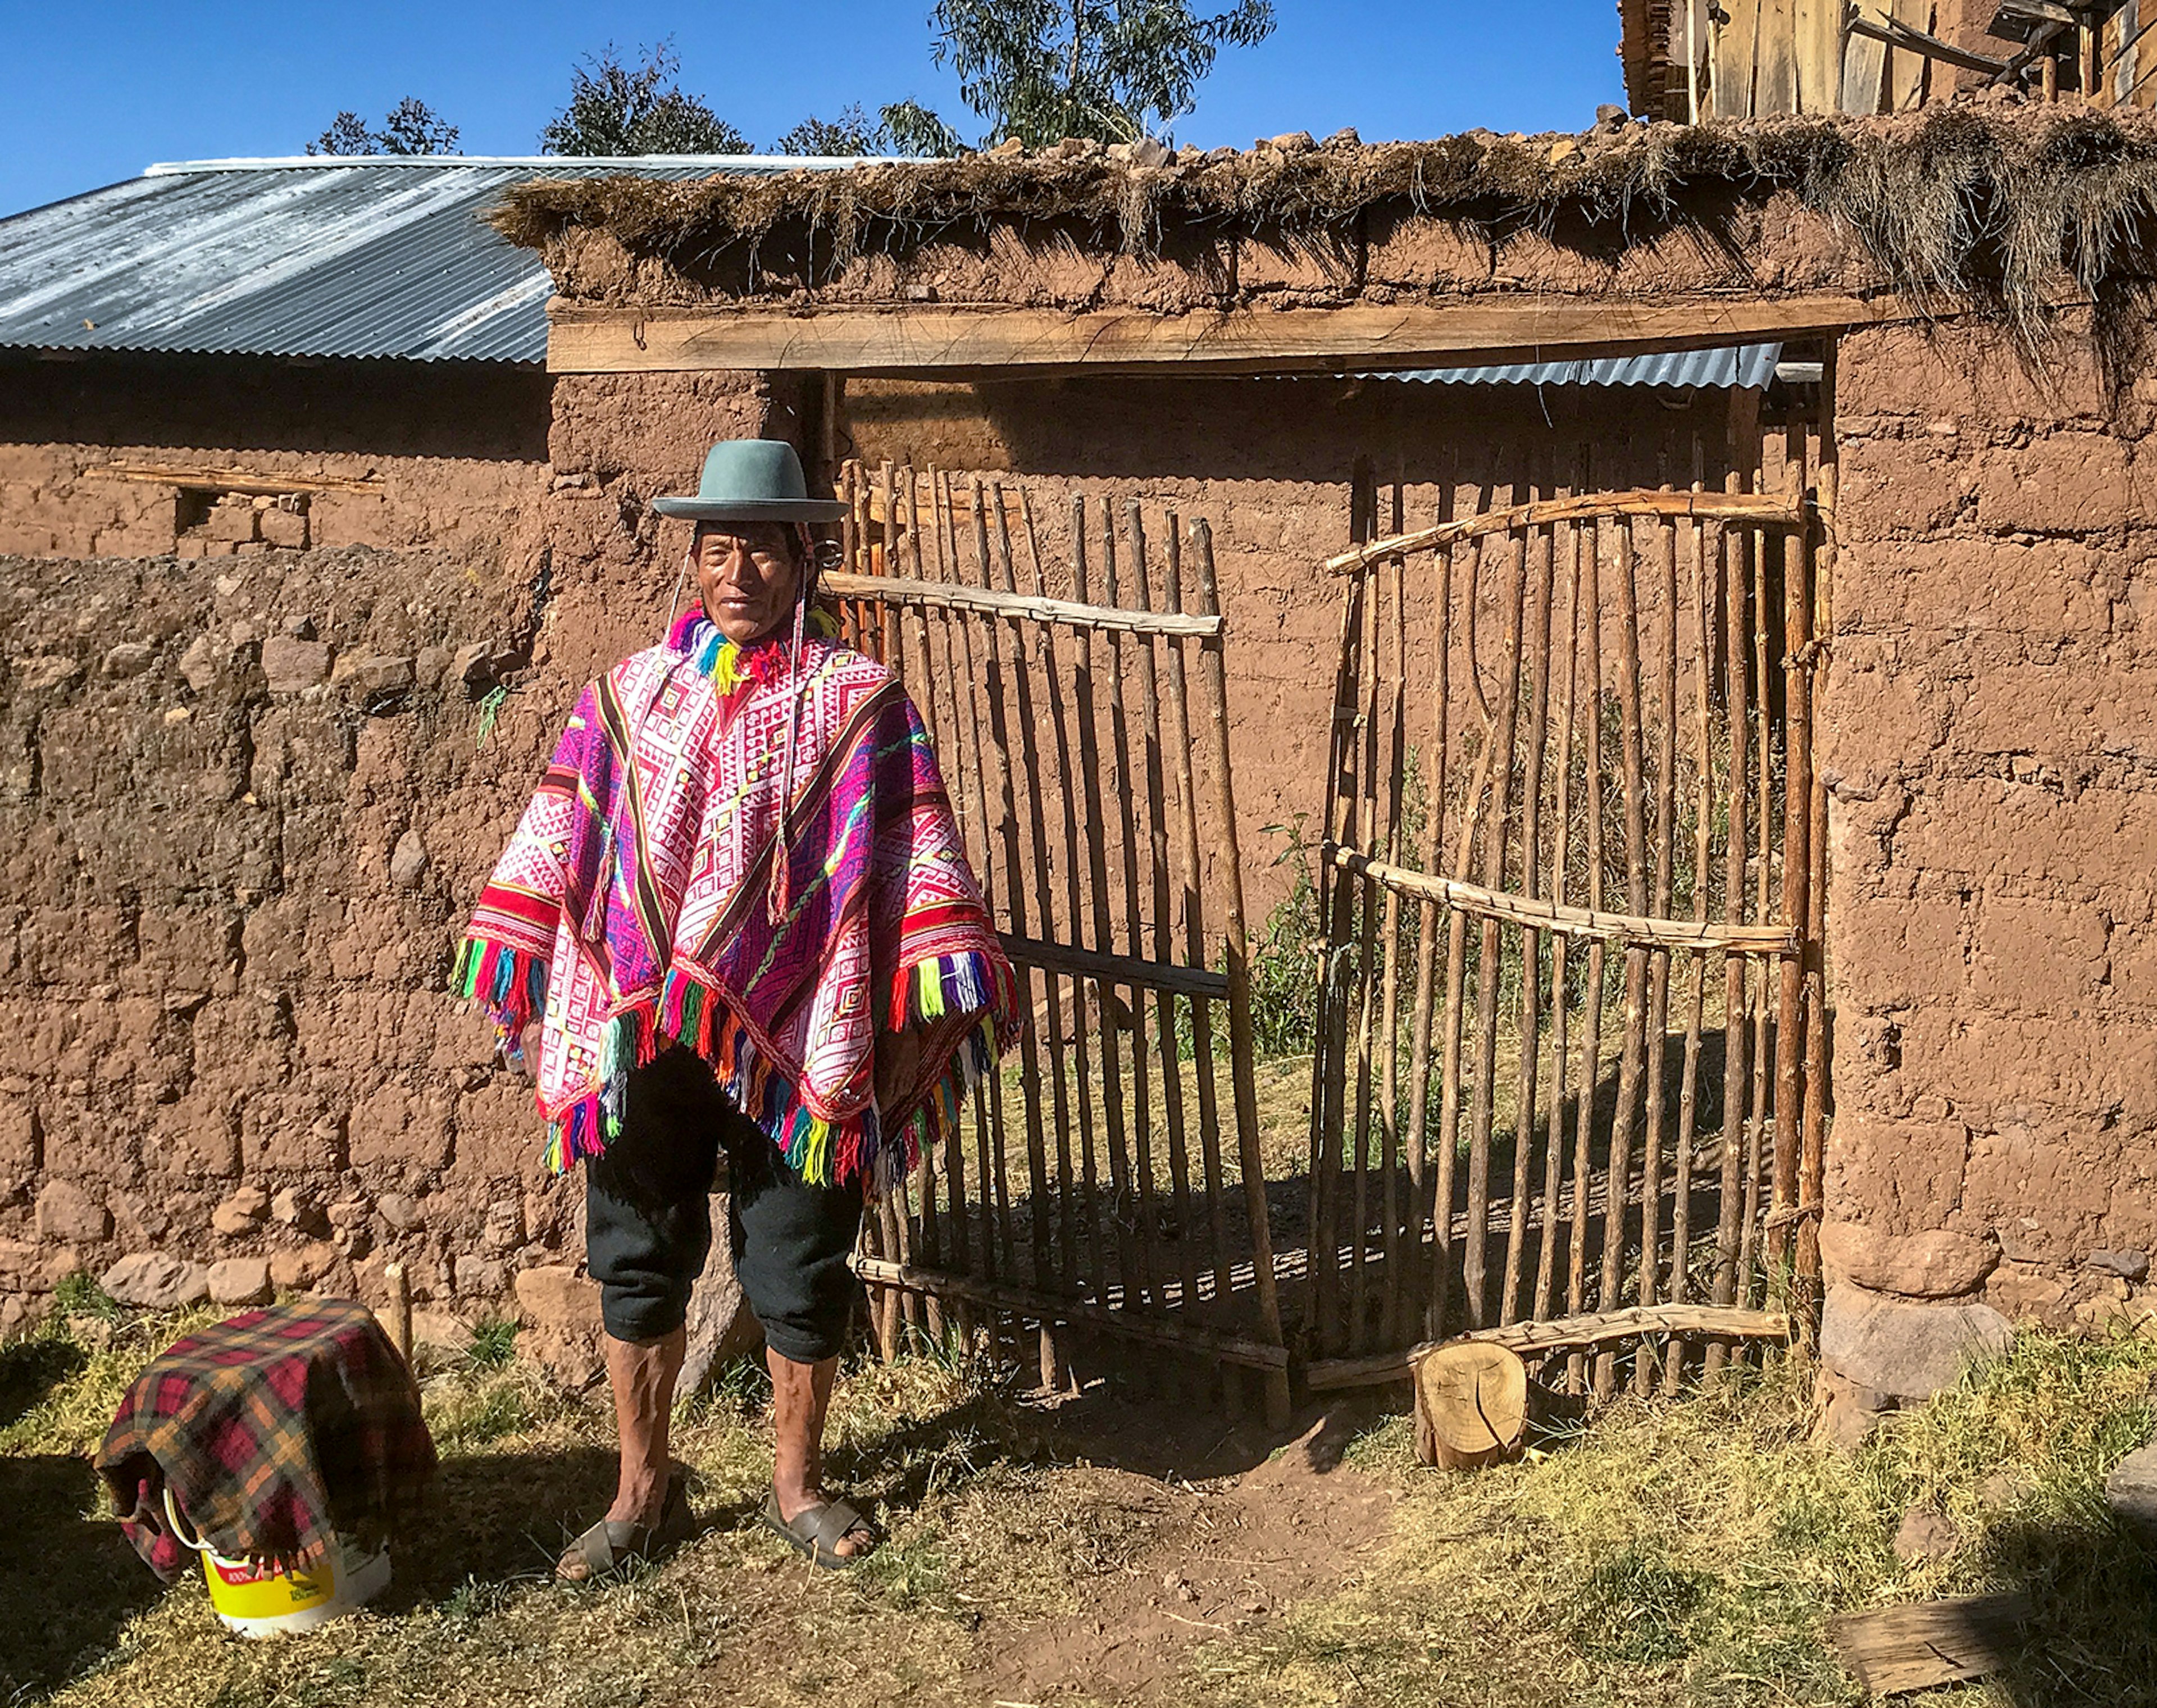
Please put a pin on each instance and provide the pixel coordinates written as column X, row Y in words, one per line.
column 249, row 803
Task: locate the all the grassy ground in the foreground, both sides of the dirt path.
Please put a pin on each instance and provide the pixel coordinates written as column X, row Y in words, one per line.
column 1664, row 1554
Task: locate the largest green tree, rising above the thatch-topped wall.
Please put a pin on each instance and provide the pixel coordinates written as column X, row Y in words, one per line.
column 1043, row 70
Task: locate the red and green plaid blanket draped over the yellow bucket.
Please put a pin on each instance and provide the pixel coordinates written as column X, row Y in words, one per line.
column 275, row 1431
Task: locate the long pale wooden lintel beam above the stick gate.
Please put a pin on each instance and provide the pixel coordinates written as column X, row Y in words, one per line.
column 907, row 342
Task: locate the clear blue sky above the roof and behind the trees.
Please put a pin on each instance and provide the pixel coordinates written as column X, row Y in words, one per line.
column 92, row 94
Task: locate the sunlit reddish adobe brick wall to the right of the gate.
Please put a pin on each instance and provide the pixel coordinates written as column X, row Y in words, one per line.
column 1990, row 741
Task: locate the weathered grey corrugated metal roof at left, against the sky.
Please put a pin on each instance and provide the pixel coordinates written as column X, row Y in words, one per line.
column 301, row 258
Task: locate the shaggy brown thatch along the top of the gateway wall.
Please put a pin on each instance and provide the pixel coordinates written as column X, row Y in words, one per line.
column 1979, row 208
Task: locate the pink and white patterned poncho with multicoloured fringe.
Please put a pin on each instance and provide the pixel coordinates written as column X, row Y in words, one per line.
column 637, row 905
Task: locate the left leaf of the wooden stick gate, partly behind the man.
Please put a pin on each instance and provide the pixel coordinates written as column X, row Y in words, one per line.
column 1116, row 1183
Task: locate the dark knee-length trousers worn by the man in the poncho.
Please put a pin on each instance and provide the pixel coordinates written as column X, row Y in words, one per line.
column 648, row 1224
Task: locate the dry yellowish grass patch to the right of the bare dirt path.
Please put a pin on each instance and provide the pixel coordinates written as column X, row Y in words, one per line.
column 1692, row 1554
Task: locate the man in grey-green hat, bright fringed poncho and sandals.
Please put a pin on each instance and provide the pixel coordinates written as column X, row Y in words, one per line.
column 739, row 920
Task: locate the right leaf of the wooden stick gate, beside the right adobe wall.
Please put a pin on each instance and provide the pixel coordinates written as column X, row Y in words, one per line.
column 1569, row 918
